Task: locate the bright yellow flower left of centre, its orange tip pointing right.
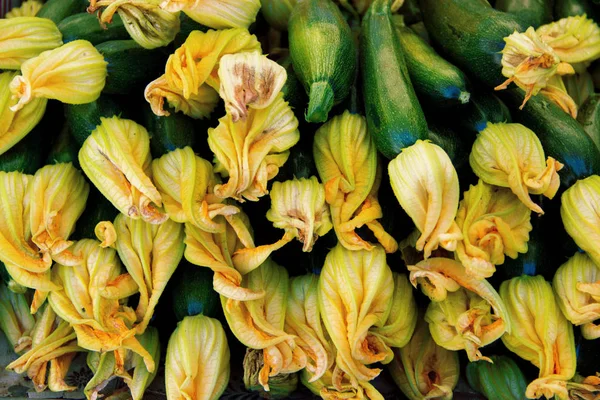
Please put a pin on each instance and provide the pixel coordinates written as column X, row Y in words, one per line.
column 185, row 183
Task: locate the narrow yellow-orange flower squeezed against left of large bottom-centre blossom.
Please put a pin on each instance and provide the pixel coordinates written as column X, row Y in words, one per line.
column 303, row 319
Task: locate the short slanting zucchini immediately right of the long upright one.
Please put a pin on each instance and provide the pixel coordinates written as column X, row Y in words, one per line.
column 435, row 80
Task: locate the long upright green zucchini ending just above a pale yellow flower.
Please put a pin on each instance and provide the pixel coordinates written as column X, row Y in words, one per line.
column 394, row 116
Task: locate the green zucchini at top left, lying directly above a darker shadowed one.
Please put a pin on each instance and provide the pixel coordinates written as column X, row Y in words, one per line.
column 86, row 26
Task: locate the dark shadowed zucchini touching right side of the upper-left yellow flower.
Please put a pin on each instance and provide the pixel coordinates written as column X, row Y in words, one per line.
column 130, row 66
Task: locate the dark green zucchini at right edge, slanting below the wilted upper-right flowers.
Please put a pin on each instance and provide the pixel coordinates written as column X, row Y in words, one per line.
column 561, row 136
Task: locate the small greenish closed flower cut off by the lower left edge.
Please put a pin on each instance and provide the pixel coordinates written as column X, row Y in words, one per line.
column 15, row 320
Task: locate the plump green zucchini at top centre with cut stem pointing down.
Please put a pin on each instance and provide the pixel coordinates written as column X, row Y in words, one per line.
column 323, row 54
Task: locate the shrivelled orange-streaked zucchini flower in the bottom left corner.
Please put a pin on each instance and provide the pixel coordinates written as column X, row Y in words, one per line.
column 53, row 347
